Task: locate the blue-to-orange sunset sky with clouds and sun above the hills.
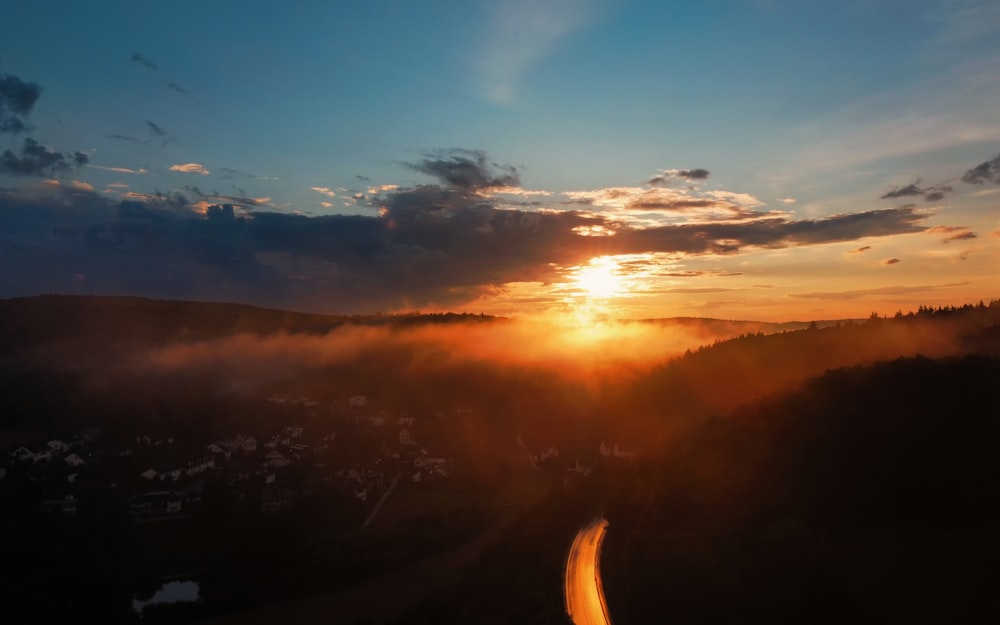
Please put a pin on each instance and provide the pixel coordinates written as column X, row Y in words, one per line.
column 740, row 159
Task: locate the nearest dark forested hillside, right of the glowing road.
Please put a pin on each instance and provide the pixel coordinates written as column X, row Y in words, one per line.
column 870, row 494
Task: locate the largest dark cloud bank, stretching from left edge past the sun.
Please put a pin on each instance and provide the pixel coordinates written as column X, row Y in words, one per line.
column 441, row 244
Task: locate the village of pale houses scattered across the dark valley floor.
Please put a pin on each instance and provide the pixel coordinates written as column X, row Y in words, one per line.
column 351, row 449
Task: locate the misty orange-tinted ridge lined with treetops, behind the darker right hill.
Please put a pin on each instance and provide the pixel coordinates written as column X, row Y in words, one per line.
column 719, row 378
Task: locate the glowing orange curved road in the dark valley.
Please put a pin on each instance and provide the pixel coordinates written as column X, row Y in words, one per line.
column 584, row 591
